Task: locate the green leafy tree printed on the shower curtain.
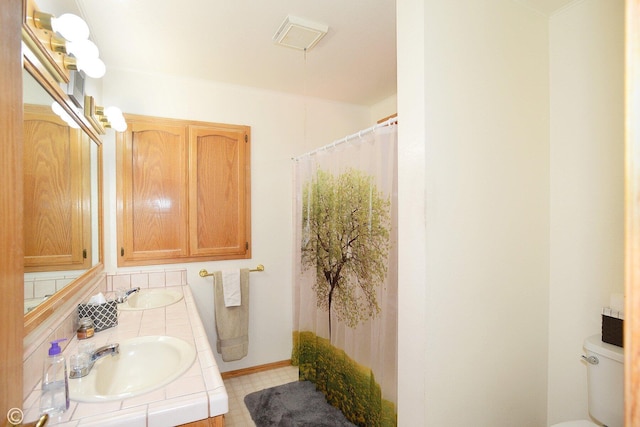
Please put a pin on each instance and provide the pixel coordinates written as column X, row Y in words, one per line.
column 346, row 240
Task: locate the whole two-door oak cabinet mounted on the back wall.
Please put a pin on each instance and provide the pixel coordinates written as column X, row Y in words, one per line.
column 183, row 191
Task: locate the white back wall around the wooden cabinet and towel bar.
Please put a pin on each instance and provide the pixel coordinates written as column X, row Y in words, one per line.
column 278, row 134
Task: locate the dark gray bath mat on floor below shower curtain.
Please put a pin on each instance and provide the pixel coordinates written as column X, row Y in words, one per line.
column 293, row 404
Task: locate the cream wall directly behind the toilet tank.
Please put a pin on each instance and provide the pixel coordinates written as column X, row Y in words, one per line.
column 587, row 166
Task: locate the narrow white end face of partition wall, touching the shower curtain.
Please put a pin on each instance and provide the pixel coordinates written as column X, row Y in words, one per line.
column 412, row 299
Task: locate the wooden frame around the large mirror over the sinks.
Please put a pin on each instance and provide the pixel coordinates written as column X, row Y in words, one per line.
column 40, row 63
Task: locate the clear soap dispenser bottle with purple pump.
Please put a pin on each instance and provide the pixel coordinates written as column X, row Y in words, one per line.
column 55, row 386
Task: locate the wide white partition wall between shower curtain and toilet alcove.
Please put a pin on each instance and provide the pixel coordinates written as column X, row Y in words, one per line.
column 478, row 282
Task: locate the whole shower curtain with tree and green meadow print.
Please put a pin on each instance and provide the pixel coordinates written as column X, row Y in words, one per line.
column 345, row 275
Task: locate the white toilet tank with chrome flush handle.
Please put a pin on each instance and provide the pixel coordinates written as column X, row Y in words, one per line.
column 605, row 382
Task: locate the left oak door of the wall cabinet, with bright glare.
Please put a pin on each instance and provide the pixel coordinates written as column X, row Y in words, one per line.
column 154, row 205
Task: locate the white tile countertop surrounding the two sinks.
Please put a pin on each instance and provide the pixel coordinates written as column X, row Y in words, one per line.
column 198, row 394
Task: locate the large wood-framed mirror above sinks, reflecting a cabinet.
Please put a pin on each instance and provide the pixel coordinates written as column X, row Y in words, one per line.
column 62, row 190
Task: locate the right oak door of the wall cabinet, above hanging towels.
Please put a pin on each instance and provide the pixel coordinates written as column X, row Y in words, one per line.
column 219, row 217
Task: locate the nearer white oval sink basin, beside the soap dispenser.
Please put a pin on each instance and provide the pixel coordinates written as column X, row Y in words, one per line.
column 144, row 364
